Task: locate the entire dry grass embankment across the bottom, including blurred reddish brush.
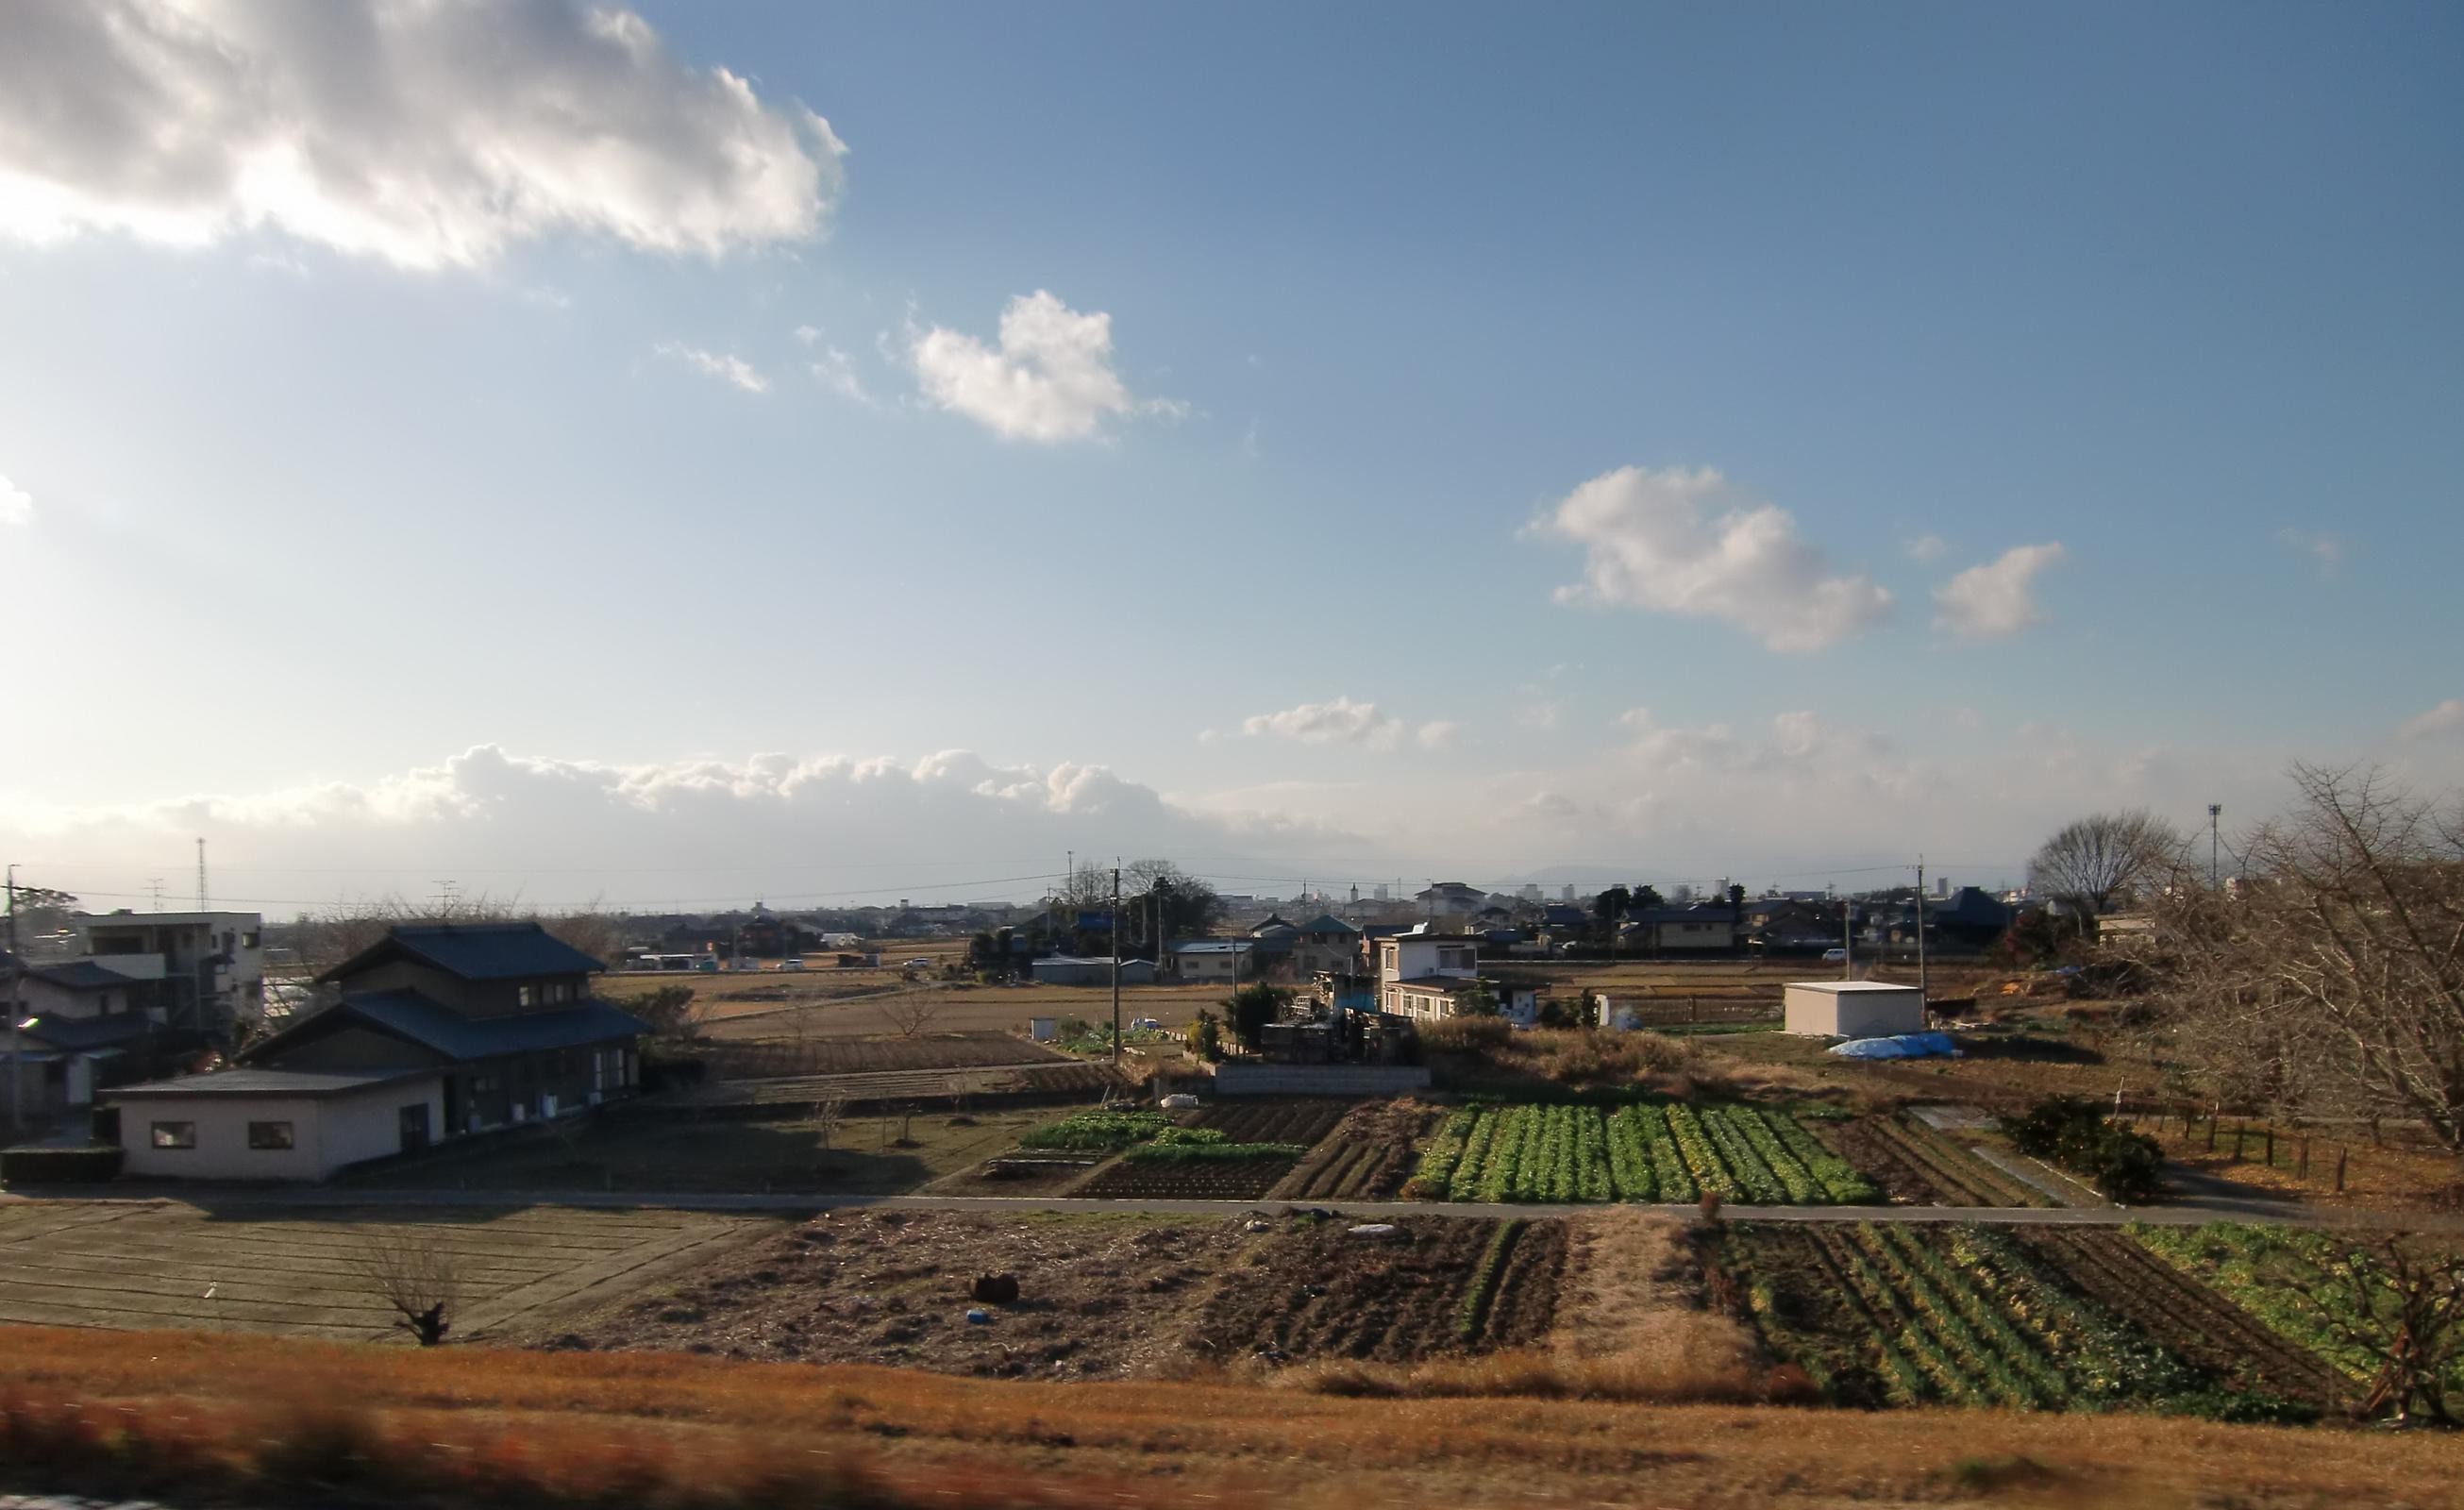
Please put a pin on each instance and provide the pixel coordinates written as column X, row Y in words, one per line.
column 156, row 1413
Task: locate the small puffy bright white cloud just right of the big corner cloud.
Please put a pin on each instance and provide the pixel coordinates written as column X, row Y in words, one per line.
column 1051, row 378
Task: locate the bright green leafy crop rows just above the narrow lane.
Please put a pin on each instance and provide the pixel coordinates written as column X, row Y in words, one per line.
column 1662, row 1154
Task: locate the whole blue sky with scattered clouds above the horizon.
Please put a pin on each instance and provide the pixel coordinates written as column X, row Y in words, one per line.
column 689, row 454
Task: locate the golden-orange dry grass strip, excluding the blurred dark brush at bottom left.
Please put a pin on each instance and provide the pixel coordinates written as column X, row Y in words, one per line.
column 994, row 1442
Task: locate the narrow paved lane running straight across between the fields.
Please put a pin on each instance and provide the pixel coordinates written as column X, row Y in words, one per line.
column 2167, row 1216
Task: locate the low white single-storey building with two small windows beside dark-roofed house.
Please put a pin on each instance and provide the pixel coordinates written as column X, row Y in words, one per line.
column 275, row 1124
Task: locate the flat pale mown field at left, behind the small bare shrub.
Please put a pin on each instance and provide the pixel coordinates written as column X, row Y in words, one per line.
column 233, row 1267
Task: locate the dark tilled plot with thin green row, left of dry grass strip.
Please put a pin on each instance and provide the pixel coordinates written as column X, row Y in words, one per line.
column 1443, row 1287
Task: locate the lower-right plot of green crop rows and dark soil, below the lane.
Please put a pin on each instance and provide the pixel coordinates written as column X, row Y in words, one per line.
column 1899, row 1314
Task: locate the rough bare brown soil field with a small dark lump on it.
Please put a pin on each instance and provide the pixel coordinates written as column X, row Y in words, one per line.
column 1100, row 1297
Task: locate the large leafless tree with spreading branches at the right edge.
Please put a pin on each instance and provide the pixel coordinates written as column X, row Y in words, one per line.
column 2332, row 974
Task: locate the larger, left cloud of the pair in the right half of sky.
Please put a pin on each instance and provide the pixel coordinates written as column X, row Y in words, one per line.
column 1694, row 543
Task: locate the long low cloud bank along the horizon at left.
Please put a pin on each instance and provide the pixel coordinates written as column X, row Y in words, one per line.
column 694, row 834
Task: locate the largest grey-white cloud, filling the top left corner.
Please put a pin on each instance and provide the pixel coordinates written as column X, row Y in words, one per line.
column 415, row 134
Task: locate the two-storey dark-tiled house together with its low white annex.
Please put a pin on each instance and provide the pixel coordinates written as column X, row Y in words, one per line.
column 440, row 1031
